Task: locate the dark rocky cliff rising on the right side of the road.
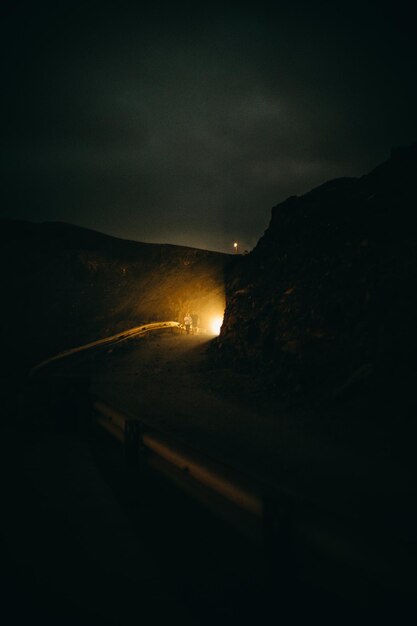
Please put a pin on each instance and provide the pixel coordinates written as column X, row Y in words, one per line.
column 326, row 299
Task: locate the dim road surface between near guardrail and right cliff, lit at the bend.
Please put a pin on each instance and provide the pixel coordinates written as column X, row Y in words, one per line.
column 166, row 380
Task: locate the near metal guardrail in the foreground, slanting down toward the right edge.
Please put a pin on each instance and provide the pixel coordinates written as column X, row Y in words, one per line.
column 279, row 523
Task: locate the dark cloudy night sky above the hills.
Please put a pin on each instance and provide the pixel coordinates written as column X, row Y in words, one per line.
column 186, row 123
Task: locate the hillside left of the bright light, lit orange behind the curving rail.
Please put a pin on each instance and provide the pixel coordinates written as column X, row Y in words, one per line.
column 64, row 286
